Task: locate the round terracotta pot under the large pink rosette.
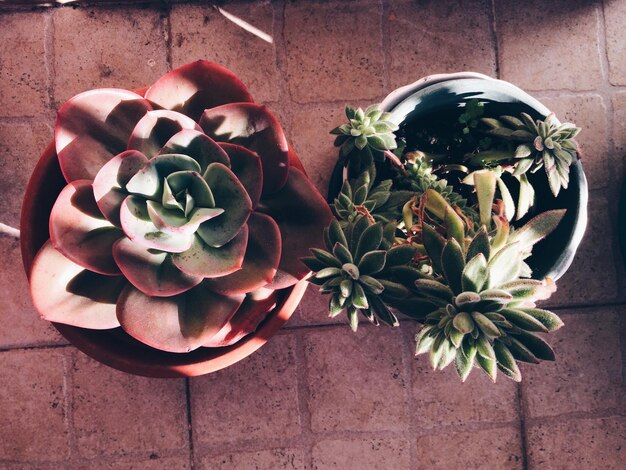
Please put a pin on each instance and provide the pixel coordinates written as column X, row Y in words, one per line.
column 114, row 347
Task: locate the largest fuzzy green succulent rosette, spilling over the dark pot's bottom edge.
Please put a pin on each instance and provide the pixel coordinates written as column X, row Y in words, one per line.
column 482, row 300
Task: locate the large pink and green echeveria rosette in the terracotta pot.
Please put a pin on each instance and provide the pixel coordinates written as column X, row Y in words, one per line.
column 184, row 212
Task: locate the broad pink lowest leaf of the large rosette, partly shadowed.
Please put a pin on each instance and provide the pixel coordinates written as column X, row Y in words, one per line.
column 177, row 324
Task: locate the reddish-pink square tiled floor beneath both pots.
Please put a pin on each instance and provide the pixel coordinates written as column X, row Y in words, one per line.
column 318, row 396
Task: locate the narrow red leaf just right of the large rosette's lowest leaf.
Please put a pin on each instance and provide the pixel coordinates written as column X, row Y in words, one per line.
column 246, row 321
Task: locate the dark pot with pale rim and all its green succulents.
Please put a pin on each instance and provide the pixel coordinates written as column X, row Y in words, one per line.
column 441, row 197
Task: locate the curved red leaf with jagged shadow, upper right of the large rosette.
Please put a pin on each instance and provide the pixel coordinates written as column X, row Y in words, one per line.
column 254, row 127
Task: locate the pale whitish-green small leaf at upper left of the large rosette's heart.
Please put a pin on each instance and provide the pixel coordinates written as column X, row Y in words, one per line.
column 148, row 182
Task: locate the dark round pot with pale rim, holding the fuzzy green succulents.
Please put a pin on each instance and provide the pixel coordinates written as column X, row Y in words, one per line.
column 552, row 256
